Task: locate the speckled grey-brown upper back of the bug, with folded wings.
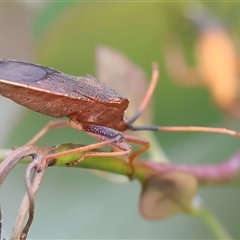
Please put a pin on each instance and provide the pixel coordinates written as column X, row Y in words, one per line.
column 46, row 79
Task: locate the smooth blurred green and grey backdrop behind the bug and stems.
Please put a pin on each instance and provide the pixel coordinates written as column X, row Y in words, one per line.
column 74, row 203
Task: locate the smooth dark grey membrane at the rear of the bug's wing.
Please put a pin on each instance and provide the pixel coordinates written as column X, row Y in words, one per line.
column 21, row 72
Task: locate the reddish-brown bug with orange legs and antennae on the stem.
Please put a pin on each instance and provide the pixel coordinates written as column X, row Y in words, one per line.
column 91, row 106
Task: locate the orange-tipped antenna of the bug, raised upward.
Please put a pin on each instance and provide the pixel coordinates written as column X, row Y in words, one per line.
column 148, row 95
